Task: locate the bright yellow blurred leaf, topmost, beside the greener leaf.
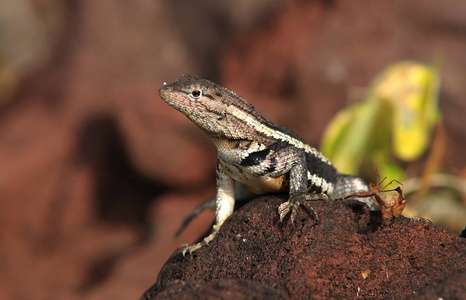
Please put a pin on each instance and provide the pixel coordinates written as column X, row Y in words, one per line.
column 412, row 90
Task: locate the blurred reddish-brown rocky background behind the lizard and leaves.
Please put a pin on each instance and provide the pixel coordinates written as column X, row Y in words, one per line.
column 97, row 172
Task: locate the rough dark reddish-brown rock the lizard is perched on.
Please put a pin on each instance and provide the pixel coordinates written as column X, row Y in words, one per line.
column 350, row 252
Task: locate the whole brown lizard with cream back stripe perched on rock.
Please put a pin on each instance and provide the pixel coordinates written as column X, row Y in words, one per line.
column 265, row 157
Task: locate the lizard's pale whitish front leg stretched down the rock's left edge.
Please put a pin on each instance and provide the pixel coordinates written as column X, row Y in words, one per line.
column 224, row 206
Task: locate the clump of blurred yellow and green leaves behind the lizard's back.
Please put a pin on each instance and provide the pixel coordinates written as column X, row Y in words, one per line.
column 393, row 124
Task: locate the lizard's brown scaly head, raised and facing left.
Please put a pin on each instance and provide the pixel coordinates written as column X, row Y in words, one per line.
column 211, row 107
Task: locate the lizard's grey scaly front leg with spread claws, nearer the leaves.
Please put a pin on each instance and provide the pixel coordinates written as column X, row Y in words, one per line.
column 298, row 191
